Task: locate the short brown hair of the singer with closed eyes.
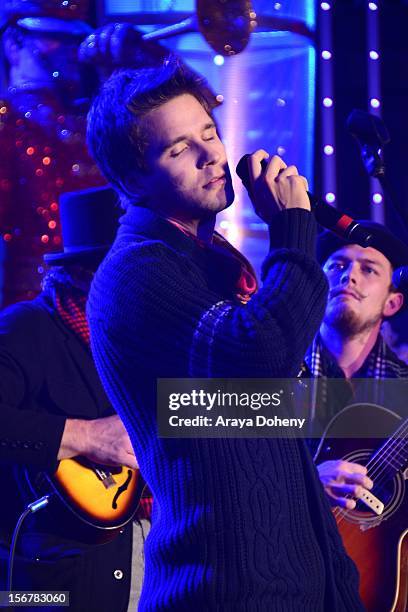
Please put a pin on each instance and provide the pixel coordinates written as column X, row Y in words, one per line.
column 115, row 136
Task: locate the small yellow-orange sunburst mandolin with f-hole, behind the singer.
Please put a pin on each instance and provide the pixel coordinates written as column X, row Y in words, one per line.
column 96, row 500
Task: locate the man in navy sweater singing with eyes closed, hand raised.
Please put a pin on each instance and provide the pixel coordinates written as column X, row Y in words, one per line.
column 237, row 524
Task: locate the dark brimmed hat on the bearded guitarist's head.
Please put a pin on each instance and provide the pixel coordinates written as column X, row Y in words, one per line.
column 394, row 249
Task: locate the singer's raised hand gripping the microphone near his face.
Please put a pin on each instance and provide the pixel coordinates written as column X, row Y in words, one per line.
column 272, row 185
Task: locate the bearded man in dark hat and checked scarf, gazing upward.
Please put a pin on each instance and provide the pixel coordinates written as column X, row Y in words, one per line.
column 349, row 344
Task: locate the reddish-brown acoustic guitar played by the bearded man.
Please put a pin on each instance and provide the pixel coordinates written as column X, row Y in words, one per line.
column 375, row 533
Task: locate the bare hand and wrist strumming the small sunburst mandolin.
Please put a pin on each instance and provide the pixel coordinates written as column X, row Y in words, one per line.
column 102, row 440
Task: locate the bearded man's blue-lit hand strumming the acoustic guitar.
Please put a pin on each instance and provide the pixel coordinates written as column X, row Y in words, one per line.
column 342, row 481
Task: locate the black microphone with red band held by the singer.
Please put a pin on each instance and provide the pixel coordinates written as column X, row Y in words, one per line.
column 328, row 216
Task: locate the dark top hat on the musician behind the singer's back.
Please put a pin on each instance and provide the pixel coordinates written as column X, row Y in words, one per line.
column 89, row 220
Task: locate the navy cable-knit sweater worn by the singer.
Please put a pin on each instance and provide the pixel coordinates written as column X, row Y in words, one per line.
column 238, row 524
